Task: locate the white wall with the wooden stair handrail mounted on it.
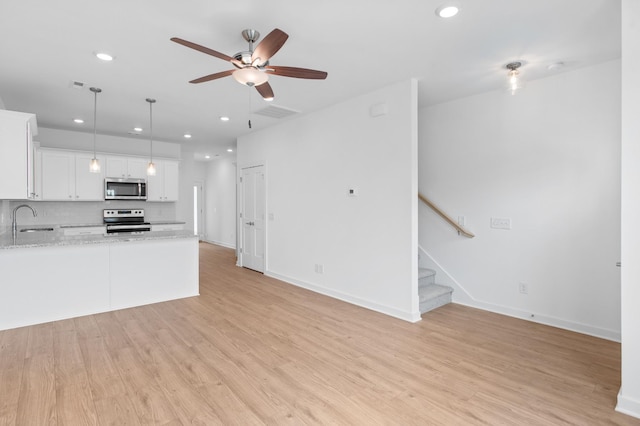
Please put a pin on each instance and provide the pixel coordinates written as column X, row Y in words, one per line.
column 548, row 159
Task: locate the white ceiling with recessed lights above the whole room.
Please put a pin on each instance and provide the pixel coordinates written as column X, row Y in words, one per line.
column 362, row 44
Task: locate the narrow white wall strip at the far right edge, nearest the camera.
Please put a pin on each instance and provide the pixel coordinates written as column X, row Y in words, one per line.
column 629, row 397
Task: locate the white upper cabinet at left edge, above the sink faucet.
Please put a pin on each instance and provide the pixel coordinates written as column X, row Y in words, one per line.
column 17, row 177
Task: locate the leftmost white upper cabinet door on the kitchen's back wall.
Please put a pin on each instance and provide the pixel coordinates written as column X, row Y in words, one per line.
column 58, row 175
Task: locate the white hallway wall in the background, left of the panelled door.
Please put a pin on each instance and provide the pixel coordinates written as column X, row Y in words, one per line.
column 220, row 202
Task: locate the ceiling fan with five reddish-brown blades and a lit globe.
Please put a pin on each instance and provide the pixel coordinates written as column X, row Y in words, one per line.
column 252, row 66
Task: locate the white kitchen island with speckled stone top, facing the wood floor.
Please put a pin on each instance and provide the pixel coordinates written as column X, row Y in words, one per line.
column 48, row 276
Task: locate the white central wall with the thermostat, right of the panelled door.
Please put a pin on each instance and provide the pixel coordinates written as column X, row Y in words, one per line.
column 367, row 243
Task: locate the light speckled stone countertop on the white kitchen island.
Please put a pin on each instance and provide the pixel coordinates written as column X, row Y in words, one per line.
column 57, row 238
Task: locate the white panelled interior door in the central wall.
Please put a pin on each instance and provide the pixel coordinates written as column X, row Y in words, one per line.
column 253, row 218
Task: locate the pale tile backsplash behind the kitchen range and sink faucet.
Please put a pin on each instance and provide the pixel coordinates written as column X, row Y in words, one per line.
column 79, row 212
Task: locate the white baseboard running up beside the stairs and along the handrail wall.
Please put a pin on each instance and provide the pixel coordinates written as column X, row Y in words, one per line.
column 467, row 299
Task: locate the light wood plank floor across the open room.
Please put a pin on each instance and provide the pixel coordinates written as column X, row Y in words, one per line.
column 253, row 350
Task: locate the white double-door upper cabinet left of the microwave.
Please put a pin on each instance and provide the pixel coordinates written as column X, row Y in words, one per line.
column 65, row 176
